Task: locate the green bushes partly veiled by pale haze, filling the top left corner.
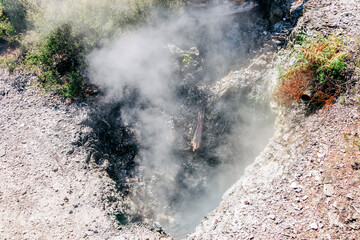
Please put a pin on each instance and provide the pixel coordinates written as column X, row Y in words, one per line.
column 55, row 36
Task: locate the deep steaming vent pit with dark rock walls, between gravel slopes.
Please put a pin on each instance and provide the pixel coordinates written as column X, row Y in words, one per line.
column 182, row 116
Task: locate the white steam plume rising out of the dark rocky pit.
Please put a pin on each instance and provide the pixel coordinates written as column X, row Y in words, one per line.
column 184, row 186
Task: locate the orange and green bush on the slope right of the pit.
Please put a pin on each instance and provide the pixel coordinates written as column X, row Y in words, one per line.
column 318, row 75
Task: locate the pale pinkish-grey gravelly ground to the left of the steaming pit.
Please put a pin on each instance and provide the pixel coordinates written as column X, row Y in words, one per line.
column 46, row 192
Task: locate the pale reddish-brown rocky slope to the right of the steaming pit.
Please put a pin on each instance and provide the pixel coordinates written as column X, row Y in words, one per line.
column 305, row 184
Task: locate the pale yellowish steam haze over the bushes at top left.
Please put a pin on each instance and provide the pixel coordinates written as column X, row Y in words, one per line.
column 95, row 21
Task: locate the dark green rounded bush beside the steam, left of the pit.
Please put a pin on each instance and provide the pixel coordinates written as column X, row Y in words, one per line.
column 59, row 61
